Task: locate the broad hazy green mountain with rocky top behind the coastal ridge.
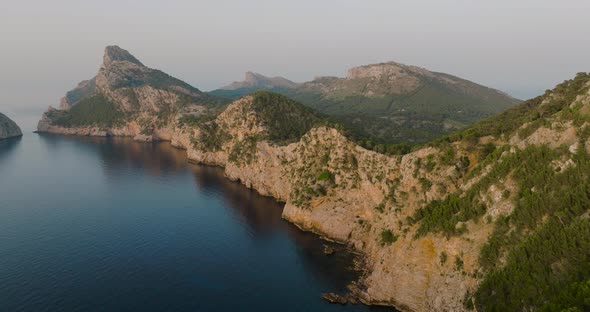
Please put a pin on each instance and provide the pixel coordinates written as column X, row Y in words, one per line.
column 391, row 102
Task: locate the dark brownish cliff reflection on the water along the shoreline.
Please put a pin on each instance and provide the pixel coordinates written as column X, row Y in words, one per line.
column 262, row 215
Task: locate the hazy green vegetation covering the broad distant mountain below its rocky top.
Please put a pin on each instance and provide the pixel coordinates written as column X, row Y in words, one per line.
column 432, row 110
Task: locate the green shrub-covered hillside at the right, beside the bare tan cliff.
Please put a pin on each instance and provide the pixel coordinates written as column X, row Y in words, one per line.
column 546, row 239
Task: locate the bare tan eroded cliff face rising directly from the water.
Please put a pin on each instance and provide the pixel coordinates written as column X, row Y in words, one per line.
column 345, row 206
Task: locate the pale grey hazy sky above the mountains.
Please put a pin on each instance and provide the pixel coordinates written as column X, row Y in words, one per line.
column 519, row 46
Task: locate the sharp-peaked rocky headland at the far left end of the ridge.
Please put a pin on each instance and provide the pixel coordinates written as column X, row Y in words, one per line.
column 126, row 97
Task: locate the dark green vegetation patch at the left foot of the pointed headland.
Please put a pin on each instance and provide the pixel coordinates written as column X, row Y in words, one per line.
column 96, row 110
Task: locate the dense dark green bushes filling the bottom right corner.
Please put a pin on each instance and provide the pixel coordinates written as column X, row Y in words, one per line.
column 551, row 269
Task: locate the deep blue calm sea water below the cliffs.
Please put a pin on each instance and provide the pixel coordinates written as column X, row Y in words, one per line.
column 94, row 224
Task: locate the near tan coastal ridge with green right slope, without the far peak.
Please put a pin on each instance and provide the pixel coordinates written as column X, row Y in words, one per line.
column 443, row 228
